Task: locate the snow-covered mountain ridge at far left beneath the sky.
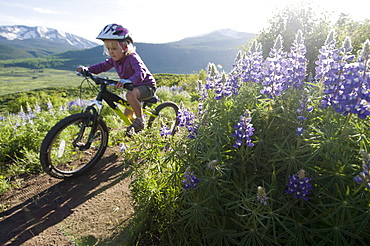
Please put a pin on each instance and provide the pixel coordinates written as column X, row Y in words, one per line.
column 21, row 32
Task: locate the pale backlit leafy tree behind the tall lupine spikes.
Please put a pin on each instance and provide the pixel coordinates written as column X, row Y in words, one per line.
column 288, row 21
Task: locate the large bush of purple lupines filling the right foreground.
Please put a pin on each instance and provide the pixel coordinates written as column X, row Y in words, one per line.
column 271, row 155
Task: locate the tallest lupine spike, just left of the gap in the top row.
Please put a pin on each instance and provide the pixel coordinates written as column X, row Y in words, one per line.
column 296, row 64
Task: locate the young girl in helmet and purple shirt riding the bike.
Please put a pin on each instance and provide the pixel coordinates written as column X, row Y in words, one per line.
column 131, row 69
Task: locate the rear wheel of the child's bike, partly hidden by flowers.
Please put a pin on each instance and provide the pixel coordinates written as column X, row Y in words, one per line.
column 166, row 120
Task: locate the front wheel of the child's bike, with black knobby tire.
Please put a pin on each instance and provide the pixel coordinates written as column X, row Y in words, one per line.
column 59, row 155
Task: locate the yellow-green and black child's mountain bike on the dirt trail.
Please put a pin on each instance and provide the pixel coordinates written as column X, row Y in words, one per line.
column 76, row 143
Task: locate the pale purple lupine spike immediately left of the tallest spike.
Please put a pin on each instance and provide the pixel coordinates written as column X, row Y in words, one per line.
column 275, row 69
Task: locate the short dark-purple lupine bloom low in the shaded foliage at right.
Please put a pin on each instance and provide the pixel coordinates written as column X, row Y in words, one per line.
column 299, row 185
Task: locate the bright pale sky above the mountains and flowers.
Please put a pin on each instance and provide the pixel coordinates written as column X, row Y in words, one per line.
column 160, row 21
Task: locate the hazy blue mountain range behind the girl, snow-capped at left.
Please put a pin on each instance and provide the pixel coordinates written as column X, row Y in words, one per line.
column 181, row 57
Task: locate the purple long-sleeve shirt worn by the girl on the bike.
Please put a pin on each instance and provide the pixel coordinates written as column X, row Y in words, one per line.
column 130, row 67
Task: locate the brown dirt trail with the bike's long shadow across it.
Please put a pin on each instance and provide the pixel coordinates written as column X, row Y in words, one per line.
column 87, row 210
